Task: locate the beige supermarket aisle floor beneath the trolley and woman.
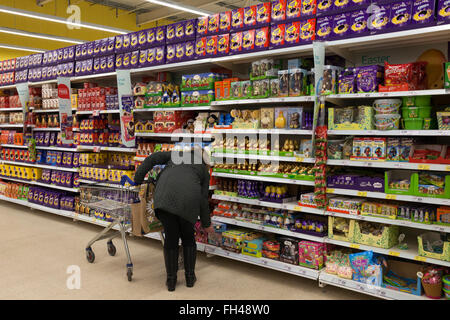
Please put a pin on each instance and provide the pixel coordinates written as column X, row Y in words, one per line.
column 38, row 247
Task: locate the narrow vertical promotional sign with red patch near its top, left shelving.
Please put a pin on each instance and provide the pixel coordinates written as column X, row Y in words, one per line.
column 65, row 110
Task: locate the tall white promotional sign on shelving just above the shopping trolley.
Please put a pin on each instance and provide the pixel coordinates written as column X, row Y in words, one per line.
column 125, row 105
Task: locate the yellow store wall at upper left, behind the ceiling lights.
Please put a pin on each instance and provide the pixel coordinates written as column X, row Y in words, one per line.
column 89, row 13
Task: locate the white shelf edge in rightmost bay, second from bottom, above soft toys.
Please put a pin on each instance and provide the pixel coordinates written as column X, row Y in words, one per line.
column 411, row 253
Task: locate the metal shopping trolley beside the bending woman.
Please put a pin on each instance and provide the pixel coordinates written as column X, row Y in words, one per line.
column 112, row 205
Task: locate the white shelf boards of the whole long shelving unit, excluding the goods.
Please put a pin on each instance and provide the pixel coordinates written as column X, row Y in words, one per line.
column 346, row 48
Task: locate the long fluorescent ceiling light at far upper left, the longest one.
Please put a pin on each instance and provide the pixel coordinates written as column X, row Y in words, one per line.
column 45, row 17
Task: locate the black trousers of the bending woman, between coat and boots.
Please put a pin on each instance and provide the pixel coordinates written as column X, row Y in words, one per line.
column 175, row 228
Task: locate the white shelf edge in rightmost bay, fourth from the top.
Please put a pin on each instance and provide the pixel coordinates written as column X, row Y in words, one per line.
column 390, row 165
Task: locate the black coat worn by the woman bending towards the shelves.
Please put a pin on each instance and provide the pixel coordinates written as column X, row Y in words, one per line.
column 182, row 188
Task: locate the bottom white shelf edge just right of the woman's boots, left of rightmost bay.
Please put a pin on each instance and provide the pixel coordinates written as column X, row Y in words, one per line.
column 263, row 262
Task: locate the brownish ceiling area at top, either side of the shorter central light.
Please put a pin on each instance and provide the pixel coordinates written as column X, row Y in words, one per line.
column 147, row 12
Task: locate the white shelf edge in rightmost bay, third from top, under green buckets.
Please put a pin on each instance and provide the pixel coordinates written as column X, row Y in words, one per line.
column 430, row 133
